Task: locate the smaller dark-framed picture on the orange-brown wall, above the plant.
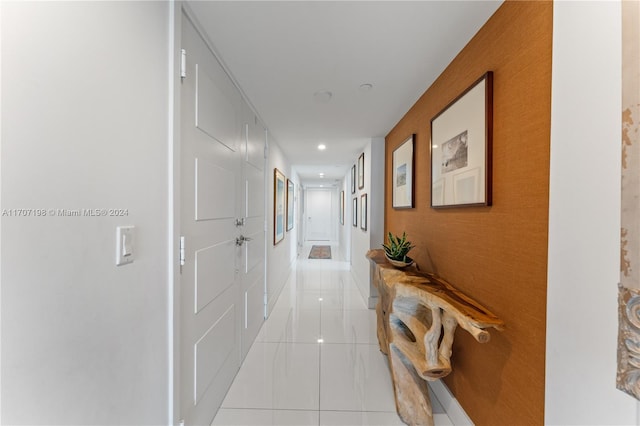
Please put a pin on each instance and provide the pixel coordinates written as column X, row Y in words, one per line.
column 402, row 184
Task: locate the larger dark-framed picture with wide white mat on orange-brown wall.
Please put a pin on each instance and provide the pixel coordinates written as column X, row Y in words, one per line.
column 461, row 143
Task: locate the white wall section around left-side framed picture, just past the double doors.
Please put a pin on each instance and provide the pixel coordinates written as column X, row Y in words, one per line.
column 281, row 256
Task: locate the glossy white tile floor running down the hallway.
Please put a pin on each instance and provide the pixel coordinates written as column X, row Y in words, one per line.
column 316, row 360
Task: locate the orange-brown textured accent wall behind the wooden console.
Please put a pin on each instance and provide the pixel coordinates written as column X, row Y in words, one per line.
column 497, row 254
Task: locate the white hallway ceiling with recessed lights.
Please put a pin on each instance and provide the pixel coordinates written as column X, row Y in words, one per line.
column 282, row 52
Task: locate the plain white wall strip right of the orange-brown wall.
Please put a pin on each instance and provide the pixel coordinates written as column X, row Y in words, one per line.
column 584, row 218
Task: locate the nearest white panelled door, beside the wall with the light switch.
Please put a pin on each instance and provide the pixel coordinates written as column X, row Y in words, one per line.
column 211, row 203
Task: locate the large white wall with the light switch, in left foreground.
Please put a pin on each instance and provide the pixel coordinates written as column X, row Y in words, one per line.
column 85, row 113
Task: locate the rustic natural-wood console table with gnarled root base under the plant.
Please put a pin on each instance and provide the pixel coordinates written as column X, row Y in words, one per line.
column 413, row 310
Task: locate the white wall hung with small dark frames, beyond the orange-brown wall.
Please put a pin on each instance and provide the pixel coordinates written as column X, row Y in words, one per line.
column 362, row 241
